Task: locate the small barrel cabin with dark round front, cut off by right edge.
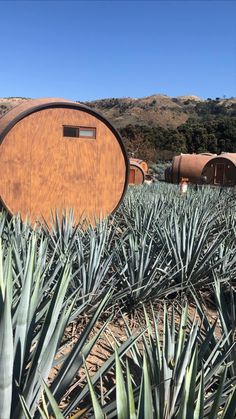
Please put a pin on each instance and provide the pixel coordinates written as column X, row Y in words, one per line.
column 220, row 170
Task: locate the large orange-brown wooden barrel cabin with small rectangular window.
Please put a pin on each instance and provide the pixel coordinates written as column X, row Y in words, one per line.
column 57, row 155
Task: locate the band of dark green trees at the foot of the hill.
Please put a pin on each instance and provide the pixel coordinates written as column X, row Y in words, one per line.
column 213, row 135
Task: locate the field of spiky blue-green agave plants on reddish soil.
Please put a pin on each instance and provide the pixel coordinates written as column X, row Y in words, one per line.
column 132, row 318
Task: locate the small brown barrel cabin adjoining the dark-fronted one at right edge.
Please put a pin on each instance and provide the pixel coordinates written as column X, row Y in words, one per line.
column 188, row 166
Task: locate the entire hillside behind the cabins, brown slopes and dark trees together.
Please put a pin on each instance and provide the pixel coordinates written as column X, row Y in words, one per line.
column 158, row 126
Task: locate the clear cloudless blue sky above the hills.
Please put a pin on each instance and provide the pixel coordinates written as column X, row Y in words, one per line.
column 85, row 50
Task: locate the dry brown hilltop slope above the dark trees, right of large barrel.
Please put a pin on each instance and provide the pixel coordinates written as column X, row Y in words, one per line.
column 157, row 110
